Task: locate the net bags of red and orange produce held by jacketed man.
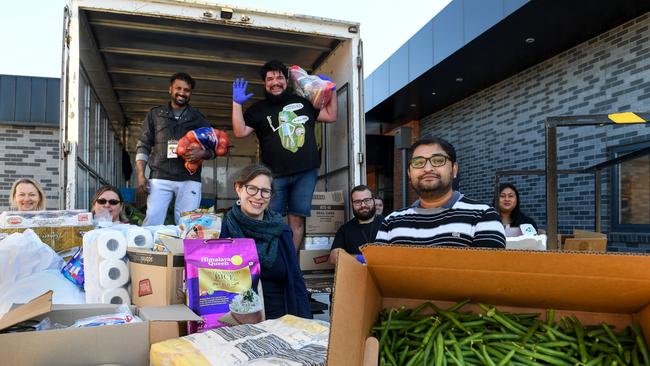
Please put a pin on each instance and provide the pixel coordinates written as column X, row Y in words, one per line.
column 204, row 138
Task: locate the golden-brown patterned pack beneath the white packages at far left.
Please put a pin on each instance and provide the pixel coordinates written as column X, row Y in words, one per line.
column 63, row 239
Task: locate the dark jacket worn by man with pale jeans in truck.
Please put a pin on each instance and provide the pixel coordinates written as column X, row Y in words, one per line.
column 158, row 128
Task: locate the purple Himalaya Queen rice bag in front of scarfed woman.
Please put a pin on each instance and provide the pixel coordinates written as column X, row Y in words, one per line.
column 217, row 271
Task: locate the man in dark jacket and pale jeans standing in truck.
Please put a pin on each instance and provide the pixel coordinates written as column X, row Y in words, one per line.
column 163, row 126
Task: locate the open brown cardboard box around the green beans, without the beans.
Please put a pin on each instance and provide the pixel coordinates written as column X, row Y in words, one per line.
column 592, row 287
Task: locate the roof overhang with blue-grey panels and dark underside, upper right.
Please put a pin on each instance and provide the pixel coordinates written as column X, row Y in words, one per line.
column 472, row 44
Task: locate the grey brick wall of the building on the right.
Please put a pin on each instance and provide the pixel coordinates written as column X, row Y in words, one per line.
column 502, row 127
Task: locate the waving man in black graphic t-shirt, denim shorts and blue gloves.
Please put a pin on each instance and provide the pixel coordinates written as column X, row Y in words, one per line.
column 284, row 125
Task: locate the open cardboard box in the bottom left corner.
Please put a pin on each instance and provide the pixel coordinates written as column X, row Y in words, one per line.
column 126, row 344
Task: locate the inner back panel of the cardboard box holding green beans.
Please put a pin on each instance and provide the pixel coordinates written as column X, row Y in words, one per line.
column 560, row 280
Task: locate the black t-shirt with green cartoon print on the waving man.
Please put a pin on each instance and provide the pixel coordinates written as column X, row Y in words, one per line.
column 286, row 134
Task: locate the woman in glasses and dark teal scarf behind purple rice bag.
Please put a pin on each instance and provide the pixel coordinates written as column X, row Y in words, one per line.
column 282, row 282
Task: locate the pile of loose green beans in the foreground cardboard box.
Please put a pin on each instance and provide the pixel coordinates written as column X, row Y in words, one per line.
column 494, row 338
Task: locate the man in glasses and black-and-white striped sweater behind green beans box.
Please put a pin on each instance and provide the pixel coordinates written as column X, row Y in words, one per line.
column 441, row 215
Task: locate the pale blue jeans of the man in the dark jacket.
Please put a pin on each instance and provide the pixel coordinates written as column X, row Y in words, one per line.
column 161, row 191
